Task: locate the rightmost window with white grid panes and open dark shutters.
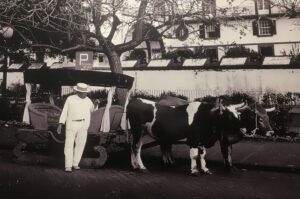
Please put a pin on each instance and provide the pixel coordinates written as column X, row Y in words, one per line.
column 264, row 27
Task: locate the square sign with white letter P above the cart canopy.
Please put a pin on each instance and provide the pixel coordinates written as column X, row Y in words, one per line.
column 84, row 60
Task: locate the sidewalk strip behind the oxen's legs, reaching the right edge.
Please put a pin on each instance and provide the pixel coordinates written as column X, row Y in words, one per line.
column 249, row 154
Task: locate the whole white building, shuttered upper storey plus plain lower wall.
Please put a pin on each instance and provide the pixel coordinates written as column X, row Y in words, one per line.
column 260, row 27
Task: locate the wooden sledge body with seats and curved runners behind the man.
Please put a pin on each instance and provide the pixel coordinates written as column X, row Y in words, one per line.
column 44, row 119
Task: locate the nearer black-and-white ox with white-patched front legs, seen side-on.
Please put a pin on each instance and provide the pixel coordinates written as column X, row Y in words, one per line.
column 201, row 123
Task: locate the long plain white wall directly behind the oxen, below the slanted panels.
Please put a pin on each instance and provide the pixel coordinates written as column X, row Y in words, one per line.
column 198, row 82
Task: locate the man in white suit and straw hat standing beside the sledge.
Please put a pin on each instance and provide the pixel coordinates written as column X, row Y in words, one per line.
column 76, row 114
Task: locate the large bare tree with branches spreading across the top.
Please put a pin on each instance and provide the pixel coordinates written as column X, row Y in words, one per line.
column 65, row 26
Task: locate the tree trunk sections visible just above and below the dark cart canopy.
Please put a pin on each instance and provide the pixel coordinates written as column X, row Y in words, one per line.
column 116, row 67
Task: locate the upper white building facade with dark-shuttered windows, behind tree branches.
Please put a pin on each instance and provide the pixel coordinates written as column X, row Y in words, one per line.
column 258, row 25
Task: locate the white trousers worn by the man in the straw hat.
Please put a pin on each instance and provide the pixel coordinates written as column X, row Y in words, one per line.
column 76, row 134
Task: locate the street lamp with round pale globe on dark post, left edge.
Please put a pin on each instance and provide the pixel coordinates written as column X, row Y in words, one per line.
column 7, row 32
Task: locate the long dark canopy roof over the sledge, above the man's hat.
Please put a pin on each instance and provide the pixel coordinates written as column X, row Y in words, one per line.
column 72, row 77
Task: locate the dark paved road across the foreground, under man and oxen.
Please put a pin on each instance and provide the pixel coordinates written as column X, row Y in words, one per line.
column 117, row 180
